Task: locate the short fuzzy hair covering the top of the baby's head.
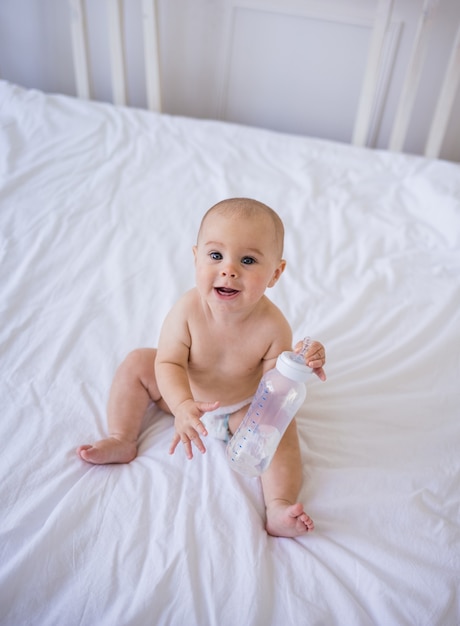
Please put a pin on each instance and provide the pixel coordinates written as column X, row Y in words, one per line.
column 244, row 210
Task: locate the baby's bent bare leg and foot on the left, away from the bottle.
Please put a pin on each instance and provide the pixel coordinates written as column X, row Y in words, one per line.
column 133, row 389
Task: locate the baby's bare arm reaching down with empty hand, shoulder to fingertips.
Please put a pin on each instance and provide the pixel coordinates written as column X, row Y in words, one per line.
column 172, row 378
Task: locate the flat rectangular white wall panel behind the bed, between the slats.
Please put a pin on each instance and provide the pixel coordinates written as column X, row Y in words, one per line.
column 300, row 74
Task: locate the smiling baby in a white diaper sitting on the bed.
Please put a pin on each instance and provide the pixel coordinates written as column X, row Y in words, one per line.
column 225, row 329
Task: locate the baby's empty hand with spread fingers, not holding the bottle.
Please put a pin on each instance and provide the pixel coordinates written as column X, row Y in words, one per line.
column 189, row 426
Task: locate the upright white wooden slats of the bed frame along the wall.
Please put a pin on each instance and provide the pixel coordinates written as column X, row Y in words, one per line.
column 380, row 20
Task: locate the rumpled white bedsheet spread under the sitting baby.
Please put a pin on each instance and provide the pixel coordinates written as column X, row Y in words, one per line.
column 99, row 208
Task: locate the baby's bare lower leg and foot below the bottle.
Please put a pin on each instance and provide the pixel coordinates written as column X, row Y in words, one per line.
column 281, row 484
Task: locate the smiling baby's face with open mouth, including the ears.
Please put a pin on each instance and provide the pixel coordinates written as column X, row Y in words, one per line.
column 236, row 259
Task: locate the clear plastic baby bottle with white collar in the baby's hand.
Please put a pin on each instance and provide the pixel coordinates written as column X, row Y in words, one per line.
column 279, row 396
